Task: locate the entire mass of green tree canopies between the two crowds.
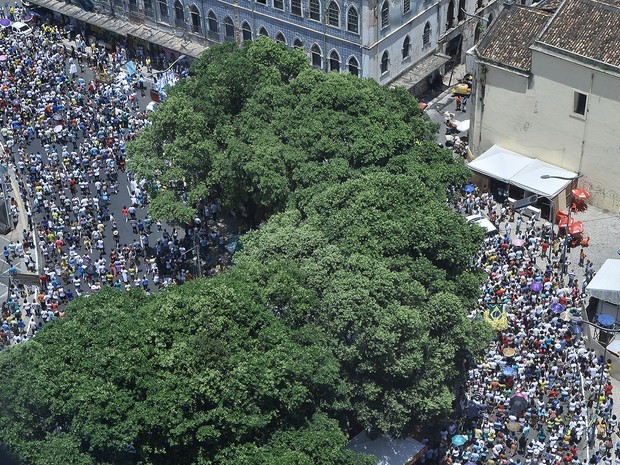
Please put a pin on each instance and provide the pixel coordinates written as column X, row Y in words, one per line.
column 346, row 309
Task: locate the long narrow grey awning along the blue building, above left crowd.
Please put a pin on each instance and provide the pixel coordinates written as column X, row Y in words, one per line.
column 123, row 27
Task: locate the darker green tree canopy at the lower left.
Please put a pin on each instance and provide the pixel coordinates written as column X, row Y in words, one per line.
column 184, row 376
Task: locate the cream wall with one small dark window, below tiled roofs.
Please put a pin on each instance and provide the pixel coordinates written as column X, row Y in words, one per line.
column 537, row 119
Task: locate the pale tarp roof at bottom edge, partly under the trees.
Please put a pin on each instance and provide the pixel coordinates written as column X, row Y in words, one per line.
column 387, row 450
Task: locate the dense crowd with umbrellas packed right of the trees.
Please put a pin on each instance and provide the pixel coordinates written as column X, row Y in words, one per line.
column 532, row 397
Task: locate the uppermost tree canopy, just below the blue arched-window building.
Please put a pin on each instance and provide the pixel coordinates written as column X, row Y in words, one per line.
column 256, row 124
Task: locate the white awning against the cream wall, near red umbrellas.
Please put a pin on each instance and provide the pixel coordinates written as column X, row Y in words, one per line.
column 522, row 171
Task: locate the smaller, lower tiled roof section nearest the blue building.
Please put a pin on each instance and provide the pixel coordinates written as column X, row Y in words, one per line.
column 509, row 39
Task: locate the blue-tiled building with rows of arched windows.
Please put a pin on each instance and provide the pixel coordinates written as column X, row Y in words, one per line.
column 380, row 39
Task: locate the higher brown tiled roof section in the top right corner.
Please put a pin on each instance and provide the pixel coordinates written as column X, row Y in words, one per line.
column 590, row 28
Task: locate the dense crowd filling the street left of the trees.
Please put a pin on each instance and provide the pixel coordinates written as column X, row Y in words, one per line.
column 65, row 134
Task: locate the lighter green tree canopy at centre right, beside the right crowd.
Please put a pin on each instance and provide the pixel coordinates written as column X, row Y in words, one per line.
column 397, row 326
